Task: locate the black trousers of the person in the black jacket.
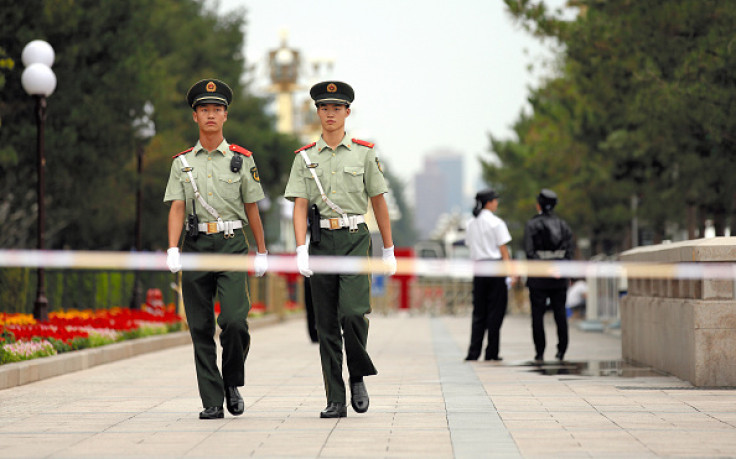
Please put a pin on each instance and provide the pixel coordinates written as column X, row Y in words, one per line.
column 538, row 298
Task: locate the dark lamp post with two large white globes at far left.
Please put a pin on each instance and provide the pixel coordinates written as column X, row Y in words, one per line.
column 39, row 81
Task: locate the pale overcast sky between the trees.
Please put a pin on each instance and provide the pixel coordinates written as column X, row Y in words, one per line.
column 428, row 76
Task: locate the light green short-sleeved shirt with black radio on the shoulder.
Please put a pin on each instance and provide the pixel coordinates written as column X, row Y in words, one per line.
column 222, row 188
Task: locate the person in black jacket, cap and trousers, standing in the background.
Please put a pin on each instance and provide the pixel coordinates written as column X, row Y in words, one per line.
column 548, row 237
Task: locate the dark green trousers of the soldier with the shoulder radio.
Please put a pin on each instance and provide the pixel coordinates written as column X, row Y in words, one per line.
column 199, row 289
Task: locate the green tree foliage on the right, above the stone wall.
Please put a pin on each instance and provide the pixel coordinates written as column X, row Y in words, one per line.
column 640, row 108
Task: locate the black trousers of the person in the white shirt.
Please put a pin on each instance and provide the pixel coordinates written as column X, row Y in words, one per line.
column 490, row 299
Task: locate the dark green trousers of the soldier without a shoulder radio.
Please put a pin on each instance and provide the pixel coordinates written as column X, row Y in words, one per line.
column 341, row 301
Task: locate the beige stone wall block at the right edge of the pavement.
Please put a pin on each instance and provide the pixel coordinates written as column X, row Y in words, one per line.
column 685, row 327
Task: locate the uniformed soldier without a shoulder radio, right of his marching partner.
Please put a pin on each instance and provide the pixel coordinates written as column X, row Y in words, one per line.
column 338, row 176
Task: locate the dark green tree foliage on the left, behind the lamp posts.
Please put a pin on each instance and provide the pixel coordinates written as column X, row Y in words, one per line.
column 112, row 58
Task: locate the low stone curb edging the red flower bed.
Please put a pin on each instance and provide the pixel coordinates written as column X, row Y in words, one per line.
column 28, row 371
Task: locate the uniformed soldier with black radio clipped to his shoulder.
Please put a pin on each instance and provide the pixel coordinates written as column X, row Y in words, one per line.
column 215, row 187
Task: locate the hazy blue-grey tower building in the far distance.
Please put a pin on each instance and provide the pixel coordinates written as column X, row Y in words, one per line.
column 438, row 190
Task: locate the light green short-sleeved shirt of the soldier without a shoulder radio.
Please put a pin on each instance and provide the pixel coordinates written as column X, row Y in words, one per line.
column 349, row 174
